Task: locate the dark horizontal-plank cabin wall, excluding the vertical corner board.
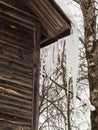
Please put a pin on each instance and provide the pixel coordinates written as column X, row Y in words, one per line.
column 16, row 75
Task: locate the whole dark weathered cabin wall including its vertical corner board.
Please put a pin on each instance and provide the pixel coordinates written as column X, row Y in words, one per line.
column 19, row 70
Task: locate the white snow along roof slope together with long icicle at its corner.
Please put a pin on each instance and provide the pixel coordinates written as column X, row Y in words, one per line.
column 72, row 48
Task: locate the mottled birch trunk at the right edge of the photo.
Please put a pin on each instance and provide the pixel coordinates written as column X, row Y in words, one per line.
column 91, row 46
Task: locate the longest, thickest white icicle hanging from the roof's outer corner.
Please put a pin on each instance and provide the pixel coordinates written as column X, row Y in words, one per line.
column 72, row 53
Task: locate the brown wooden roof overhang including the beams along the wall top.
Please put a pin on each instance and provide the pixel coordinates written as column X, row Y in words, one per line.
column 54, row 22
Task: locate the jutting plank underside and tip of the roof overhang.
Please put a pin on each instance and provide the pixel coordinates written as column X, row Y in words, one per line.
column 55, row 24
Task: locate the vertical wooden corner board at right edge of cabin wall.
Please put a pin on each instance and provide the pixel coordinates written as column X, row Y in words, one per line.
column 36, row 67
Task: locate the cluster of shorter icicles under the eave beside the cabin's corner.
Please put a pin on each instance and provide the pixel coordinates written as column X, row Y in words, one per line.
column 49, row 58
